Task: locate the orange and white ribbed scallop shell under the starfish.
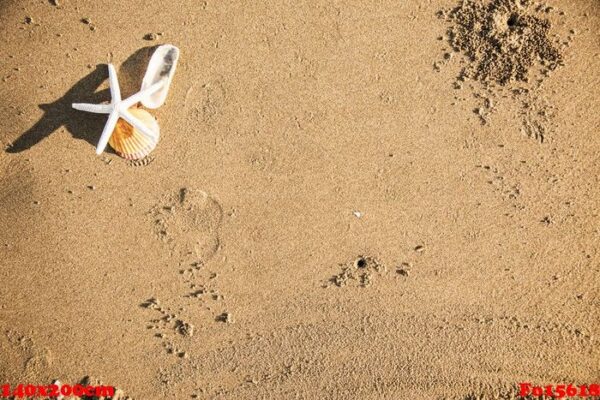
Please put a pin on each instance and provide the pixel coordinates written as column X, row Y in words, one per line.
column 130, row 143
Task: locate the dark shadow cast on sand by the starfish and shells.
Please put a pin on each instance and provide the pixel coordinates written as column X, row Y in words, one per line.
column 81, row 125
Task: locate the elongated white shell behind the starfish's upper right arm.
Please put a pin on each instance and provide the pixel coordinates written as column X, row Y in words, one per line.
column 162, row 65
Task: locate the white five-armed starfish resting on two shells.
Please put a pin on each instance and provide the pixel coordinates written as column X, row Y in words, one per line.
column 119, row 108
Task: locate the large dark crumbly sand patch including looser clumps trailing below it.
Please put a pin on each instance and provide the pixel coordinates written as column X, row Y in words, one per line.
column 508, row 49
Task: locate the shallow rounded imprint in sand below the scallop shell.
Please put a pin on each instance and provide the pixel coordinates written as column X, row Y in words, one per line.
column 188, row 222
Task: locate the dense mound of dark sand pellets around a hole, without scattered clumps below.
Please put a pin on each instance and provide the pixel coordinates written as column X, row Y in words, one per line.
column 502, row 39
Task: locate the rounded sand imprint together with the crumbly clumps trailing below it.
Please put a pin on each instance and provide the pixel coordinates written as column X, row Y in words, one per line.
column 187, row 222
